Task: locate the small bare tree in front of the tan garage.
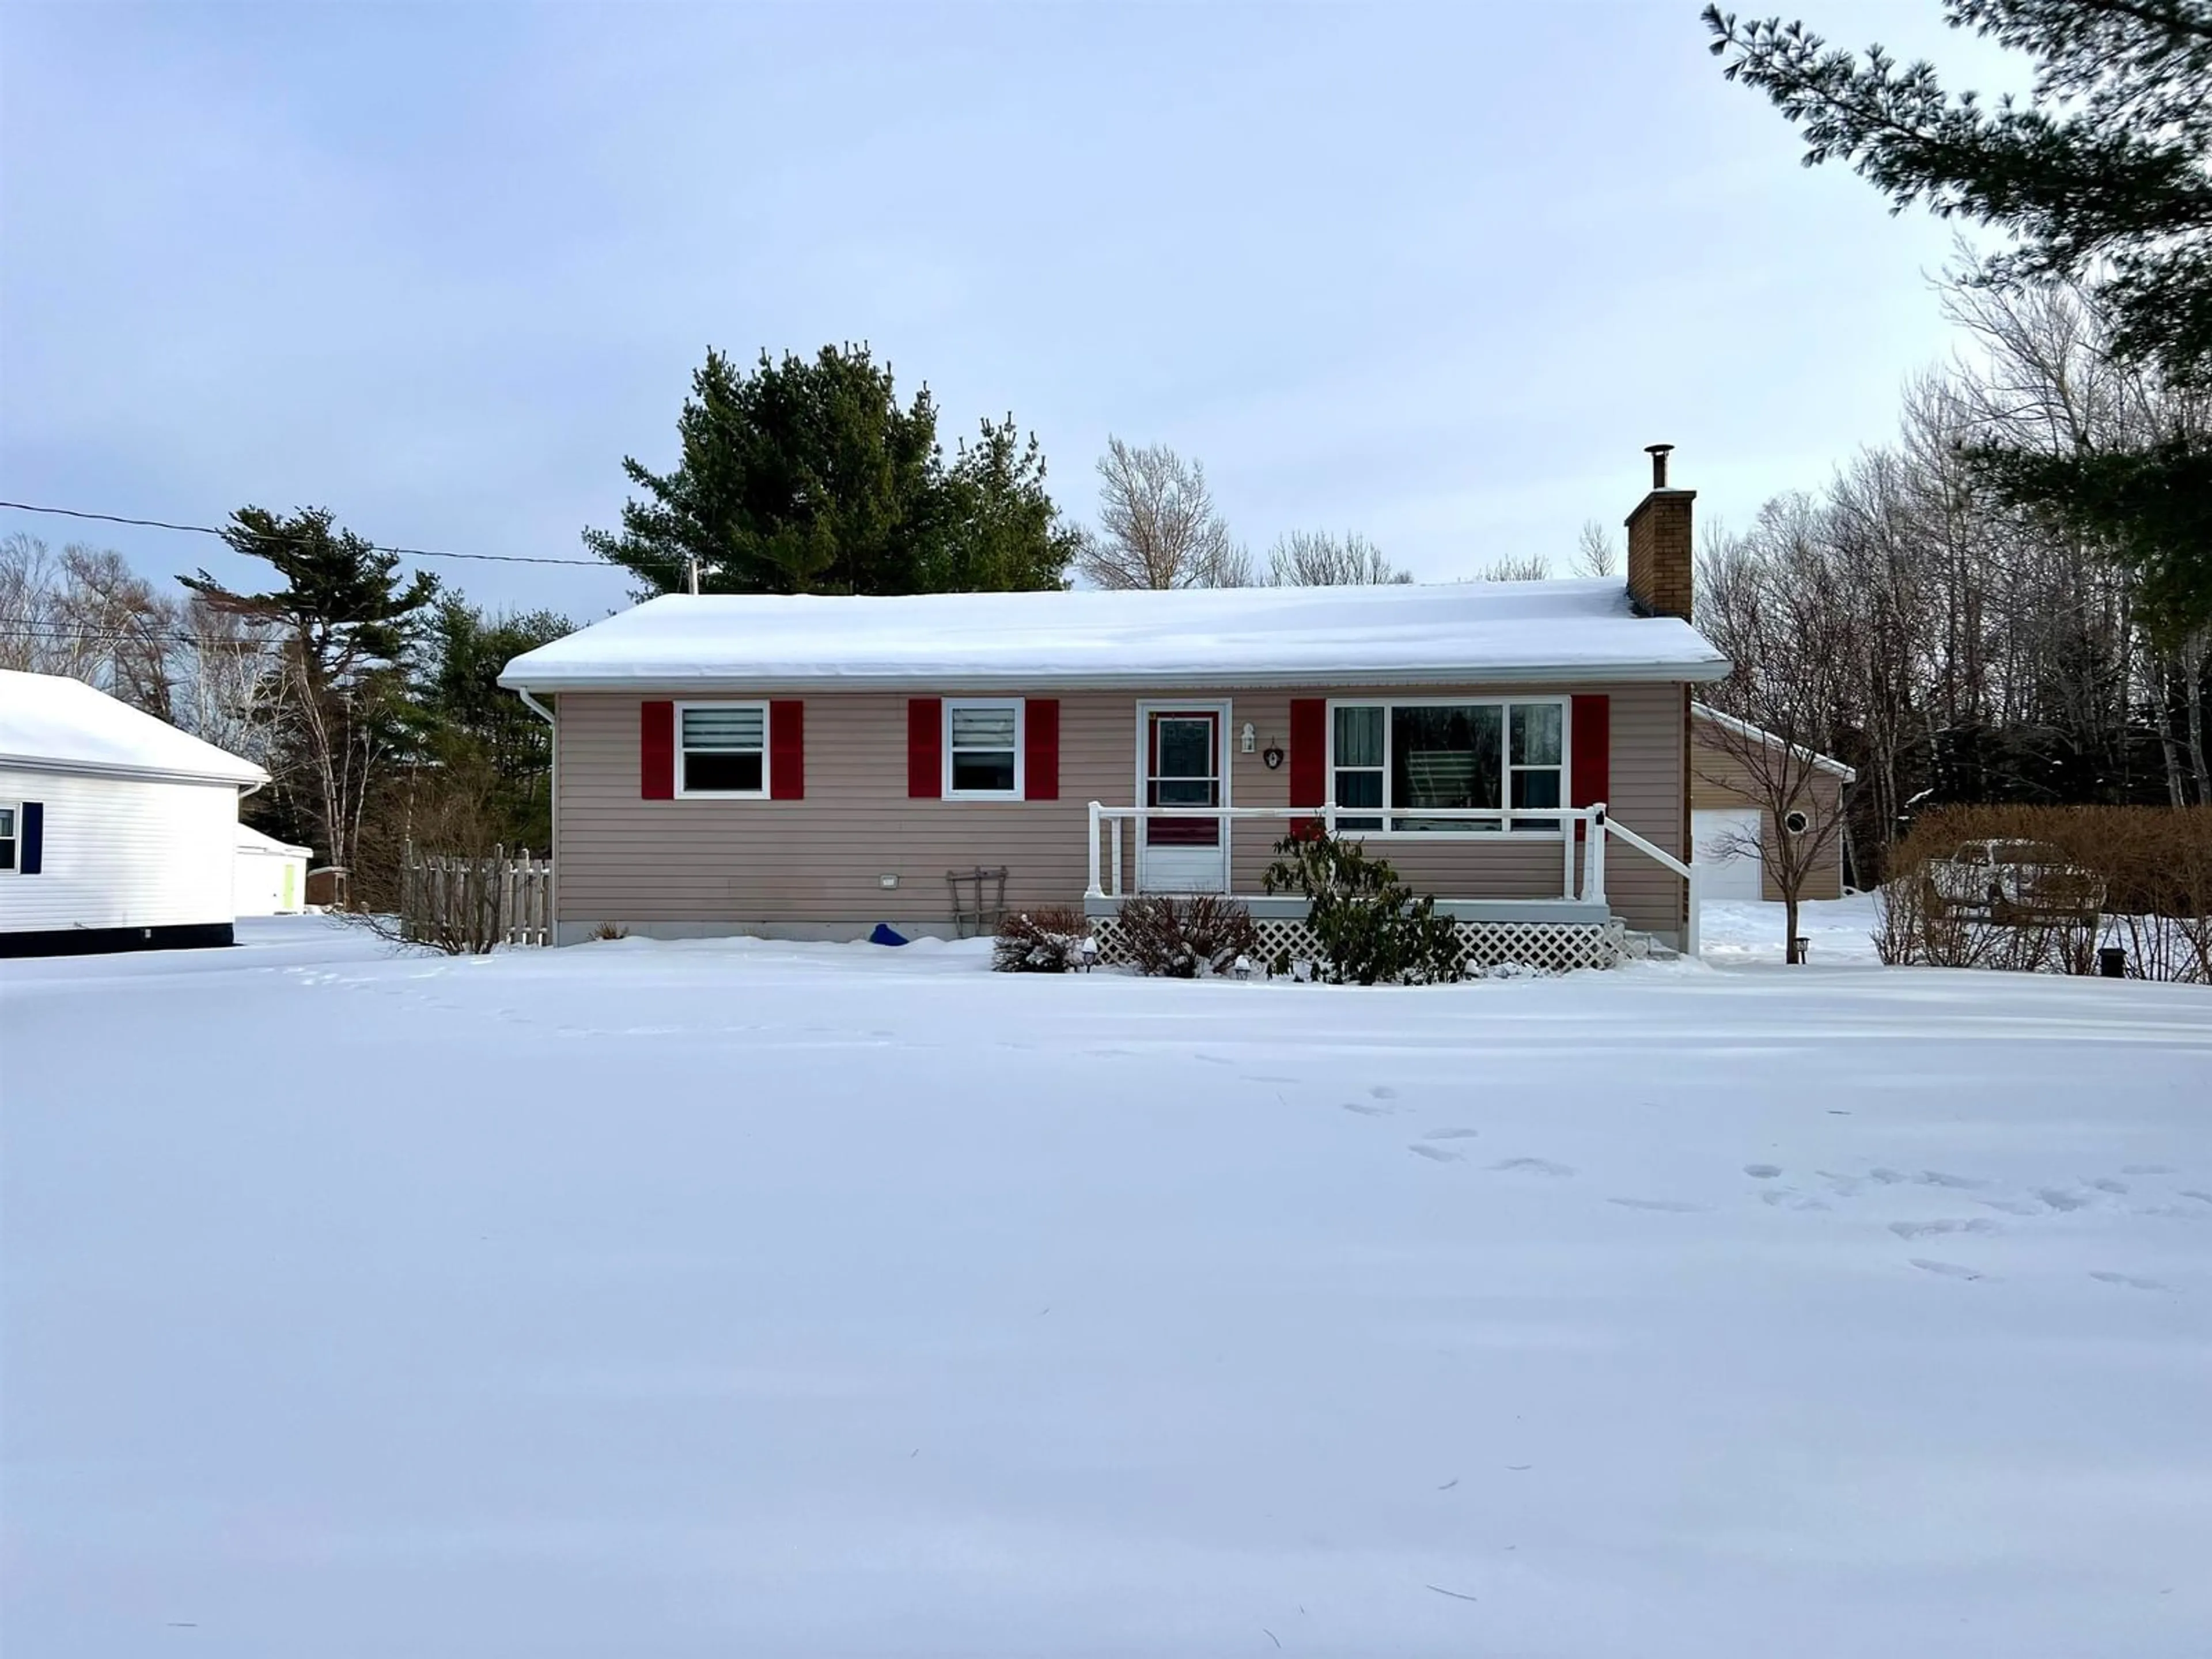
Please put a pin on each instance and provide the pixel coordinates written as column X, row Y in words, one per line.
column 1782, row 609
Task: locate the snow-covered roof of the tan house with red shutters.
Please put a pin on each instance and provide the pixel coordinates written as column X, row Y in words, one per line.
column 1384, row 636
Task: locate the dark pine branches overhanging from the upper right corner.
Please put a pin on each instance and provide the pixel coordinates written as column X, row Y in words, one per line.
column 2103, row 178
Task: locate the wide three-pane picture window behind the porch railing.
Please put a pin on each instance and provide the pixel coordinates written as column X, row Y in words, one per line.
column 1415, row 760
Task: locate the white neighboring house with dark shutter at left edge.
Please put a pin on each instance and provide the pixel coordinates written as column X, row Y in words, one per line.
column 116, row 831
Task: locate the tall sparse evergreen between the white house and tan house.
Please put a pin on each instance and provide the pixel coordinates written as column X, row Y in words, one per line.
column 346, row 618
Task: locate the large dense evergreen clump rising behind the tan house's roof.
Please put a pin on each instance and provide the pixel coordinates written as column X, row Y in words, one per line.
column 811, row 477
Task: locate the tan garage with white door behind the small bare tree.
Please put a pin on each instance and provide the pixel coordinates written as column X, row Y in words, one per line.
column 1733, row 824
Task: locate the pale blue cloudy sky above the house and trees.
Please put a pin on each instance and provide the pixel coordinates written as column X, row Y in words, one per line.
column 1430, row 273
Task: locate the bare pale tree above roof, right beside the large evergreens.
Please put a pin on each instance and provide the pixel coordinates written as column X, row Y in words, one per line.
column 1158, row 525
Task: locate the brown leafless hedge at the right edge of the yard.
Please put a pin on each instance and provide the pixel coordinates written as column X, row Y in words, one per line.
column 2156, row 868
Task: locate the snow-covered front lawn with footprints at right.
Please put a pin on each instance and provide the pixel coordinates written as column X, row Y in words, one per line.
column 733, row 1300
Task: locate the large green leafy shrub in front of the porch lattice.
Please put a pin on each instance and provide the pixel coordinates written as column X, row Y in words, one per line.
column 1368, row 924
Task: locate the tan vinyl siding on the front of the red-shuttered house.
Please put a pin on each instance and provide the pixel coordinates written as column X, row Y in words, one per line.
column 634, row 862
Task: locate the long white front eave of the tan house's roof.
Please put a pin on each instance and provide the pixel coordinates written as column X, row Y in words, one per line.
column 1620, row 674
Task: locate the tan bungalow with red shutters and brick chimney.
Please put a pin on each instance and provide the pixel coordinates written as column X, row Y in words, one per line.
column 815, row 766
